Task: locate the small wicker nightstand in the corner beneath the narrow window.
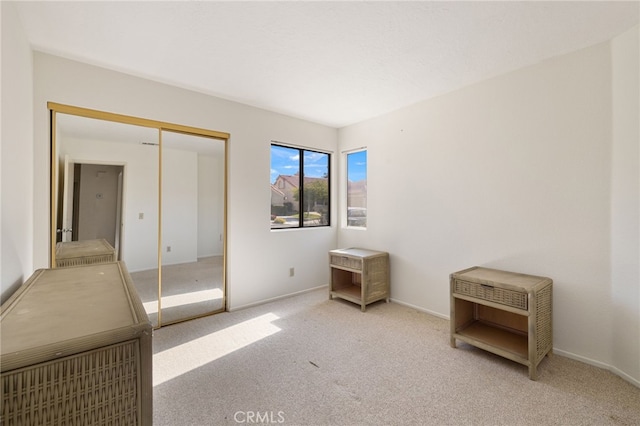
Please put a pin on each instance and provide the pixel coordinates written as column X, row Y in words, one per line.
column 358, row 275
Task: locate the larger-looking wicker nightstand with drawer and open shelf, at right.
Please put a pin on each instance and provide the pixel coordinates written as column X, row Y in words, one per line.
column 506, row 313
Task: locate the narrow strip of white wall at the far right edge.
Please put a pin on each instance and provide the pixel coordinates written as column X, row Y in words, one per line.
column 625, row 205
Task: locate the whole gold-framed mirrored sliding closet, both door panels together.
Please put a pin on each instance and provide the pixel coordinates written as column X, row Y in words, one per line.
column 151, row 194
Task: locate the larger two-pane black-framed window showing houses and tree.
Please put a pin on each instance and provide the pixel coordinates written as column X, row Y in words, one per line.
column 299, row 199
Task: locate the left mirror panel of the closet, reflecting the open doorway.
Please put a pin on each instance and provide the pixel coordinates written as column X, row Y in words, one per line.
column 107, row 197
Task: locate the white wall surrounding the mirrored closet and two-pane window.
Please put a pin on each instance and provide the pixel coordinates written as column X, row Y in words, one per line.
column 258, row 259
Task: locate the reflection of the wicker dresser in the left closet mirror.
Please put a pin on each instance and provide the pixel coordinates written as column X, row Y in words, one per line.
column 87, row 252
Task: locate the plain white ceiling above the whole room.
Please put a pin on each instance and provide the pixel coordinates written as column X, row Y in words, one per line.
column 334, row 63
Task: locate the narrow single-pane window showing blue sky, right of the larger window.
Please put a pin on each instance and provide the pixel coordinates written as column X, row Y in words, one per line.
column 357, row 189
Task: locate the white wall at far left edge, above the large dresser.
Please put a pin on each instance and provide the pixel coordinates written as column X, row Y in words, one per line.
column 16, row 154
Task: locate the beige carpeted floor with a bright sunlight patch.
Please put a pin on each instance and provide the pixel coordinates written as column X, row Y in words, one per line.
column 306, row 360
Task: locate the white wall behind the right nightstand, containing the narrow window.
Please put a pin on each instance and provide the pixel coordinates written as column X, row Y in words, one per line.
column 512, row 173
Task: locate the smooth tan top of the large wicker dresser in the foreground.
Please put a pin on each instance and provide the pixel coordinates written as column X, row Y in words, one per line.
column 64, row 304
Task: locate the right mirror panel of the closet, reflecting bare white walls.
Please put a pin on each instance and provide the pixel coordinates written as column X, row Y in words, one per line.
column 192, row 226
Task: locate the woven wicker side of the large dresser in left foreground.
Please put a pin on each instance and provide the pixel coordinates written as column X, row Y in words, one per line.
column 93, row 388
